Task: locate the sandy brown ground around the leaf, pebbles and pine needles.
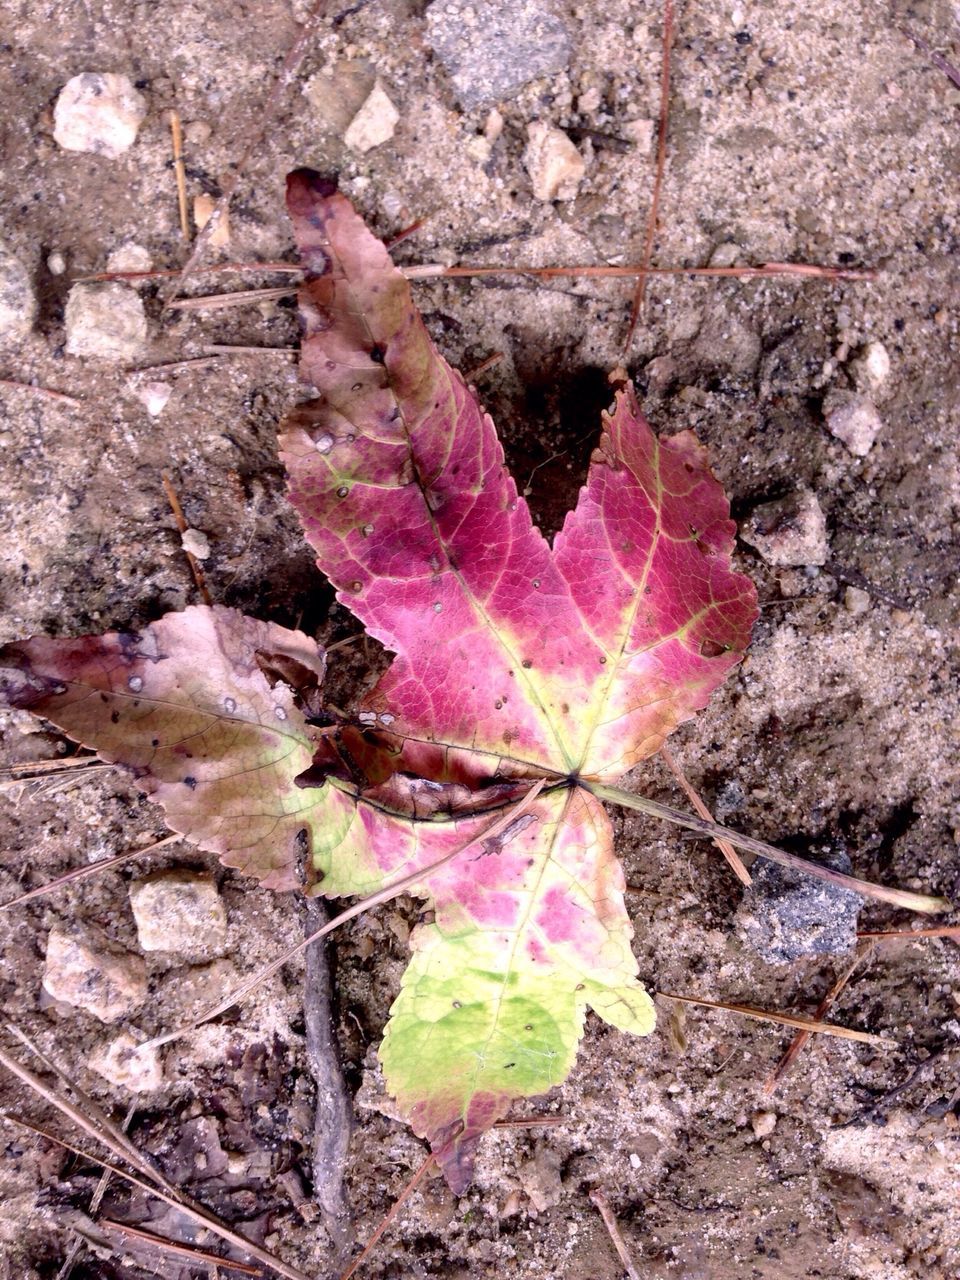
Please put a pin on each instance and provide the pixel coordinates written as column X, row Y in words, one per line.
column 798, row 132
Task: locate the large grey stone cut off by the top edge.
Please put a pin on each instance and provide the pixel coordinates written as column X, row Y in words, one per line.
column 491, row 49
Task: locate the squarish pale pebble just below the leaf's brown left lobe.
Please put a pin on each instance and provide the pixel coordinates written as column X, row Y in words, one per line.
column 180, row 911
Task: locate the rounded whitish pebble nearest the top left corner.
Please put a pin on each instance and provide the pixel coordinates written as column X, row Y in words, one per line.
column 99, row 112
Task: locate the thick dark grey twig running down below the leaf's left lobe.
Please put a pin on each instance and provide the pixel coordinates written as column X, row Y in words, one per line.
column 333, row 1114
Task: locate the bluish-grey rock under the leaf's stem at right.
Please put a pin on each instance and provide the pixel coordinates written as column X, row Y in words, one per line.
column 785, row 916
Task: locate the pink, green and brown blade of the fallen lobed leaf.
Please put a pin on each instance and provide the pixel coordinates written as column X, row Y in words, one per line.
column 516, row 666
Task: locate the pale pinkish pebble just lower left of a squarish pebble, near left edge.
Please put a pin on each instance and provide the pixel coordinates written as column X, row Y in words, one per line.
column 85, row 972
